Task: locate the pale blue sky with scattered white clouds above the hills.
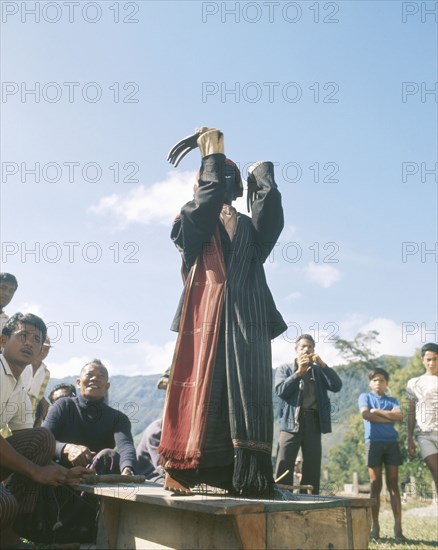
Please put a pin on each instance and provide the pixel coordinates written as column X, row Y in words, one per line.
column 341, row 96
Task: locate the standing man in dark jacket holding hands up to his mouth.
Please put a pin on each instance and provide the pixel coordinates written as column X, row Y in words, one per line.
column 305, row 412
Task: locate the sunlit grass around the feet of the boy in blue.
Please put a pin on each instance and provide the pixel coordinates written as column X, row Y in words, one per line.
column 420, row 527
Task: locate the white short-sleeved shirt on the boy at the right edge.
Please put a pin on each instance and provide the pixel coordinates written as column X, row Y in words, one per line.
column 424, row 391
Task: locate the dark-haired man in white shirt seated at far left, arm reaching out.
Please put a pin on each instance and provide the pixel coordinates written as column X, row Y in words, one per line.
column 26, row 456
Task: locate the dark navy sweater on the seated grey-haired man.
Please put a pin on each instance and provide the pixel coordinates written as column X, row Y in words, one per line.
column 93, row 424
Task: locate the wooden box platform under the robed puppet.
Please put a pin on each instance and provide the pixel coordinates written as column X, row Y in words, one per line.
column 147, row 516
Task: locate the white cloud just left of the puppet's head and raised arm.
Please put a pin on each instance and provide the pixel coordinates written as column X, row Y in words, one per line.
column 157, row 203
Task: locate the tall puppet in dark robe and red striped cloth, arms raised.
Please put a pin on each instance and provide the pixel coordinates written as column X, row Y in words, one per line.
column 218, row 420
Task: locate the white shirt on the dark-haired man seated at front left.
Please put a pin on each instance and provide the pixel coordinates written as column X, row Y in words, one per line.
column 15, row 405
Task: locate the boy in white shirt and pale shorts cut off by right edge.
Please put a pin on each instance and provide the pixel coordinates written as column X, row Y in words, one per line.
column 422, row 394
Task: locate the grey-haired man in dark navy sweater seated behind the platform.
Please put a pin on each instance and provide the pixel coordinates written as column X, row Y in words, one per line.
column 86, row 429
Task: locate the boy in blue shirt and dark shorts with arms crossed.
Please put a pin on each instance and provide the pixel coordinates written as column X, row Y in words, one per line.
column 379, row 412
